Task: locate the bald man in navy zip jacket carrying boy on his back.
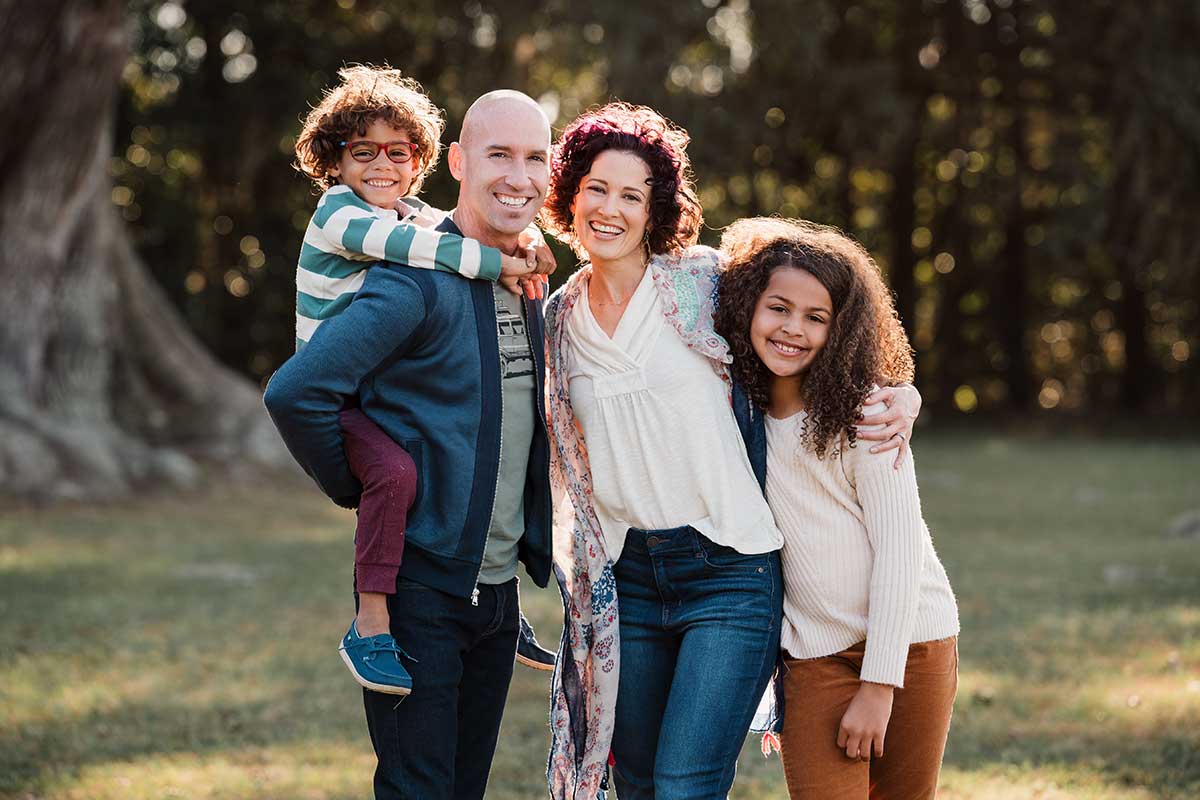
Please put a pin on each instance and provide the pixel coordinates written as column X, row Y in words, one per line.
column 453, row 371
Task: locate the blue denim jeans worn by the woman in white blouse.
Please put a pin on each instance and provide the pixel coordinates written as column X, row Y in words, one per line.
column 699, row 643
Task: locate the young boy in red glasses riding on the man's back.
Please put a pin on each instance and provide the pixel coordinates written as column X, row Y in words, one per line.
column 370, row 145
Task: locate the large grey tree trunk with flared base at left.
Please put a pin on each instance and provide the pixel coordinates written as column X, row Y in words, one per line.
column 103, row 388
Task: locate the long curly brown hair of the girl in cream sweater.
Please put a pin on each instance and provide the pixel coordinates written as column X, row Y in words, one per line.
column 866, row 347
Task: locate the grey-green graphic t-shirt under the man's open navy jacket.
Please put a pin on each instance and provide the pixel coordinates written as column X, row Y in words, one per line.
column 517, row 437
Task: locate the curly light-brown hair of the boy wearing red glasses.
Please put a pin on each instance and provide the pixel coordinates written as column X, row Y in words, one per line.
column 367, row 95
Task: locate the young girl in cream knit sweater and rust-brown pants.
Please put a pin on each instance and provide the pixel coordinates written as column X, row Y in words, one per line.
column 871, row 623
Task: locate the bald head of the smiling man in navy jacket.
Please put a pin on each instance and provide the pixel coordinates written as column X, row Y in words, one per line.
column 502, row 164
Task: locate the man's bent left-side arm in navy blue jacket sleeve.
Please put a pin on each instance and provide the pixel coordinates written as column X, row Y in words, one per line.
column 307, row 394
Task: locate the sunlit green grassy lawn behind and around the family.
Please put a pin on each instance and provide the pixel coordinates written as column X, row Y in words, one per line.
column 185, row 647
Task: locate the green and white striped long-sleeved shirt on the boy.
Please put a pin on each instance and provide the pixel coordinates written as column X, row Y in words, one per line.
column 347, row 236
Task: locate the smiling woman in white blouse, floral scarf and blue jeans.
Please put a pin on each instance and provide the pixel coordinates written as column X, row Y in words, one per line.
column 635, row 369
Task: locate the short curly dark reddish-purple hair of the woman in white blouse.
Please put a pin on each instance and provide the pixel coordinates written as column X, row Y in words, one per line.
column 675, row 218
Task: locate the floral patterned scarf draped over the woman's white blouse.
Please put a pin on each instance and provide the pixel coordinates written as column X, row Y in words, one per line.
column 584, row 696
